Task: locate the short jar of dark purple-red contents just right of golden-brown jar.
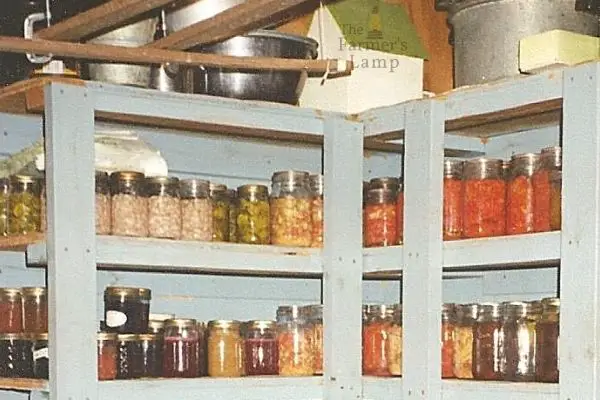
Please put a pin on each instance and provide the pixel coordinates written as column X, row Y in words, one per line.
column 260, row 348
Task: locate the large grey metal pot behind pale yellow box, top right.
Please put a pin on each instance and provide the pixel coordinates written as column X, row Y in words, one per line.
column 486, row 33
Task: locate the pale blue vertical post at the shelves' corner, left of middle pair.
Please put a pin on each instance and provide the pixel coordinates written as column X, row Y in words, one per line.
column 343, row 267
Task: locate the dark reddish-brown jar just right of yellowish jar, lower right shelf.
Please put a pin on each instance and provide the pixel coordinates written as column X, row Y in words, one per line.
column 487, row 342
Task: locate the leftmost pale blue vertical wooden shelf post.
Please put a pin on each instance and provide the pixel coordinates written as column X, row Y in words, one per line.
column 69, row 155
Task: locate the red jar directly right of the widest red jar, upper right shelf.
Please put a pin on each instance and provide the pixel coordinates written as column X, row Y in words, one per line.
column 519, row 194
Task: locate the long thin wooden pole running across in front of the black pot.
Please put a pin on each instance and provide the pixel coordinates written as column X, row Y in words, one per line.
column 144, row 55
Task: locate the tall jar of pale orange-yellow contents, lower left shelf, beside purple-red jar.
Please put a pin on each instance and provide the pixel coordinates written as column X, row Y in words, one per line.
column 295, row 352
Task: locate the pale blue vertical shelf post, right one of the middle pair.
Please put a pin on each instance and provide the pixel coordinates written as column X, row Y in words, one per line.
column 422, row 271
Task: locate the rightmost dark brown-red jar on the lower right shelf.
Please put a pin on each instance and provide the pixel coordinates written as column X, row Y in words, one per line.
column 547, row 341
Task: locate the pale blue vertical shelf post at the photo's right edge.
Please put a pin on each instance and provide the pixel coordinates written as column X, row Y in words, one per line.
column 580, row 246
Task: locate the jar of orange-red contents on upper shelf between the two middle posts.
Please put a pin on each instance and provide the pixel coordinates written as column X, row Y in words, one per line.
column 380, row 219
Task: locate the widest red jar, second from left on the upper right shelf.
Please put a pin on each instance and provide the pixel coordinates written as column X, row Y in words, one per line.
column 484, row 204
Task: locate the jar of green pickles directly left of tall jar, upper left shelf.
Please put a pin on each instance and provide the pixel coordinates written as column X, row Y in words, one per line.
column 253, row 215
